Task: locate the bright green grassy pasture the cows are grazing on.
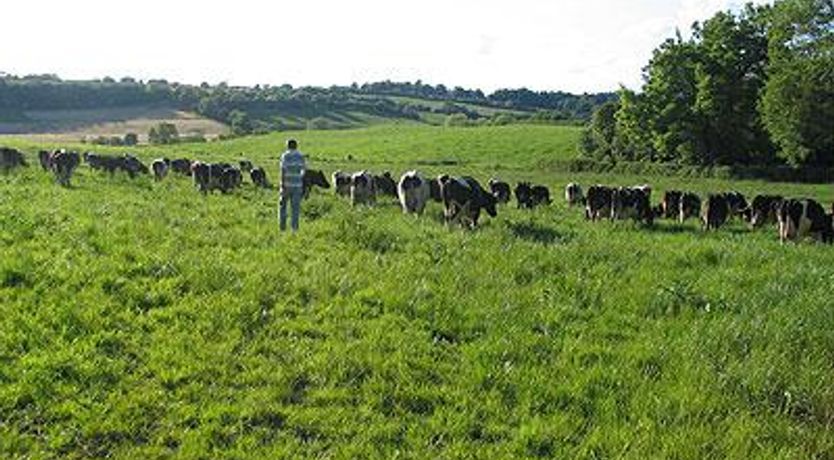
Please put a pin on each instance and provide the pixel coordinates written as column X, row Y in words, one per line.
column 142, row 320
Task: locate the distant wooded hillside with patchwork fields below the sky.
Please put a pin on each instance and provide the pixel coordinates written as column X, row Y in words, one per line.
column 47, row 104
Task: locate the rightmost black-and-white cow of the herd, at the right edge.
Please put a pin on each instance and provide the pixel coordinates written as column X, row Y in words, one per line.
column 801, row 218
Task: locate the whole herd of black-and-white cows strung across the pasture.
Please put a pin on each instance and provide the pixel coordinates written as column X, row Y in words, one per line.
column 464, row 198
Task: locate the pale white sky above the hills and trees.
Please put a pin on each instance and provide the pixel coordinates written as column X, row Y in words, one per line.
column 568, row 45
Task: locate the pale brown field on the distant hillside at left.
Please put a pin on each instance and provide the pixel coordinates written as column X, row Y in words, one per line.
column 72, row 125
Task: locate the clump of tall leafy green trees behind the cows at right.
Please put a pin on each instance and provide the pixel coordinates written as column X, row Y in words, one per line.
column 754, row 88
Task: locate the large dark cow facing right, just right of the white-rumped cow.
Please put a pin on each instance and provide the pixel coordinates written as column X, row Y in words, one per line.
column 463, row 198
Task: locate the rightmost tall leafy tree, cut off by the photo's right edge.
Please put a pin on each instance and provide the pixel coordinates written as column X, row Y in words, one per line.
column 798, row 102
